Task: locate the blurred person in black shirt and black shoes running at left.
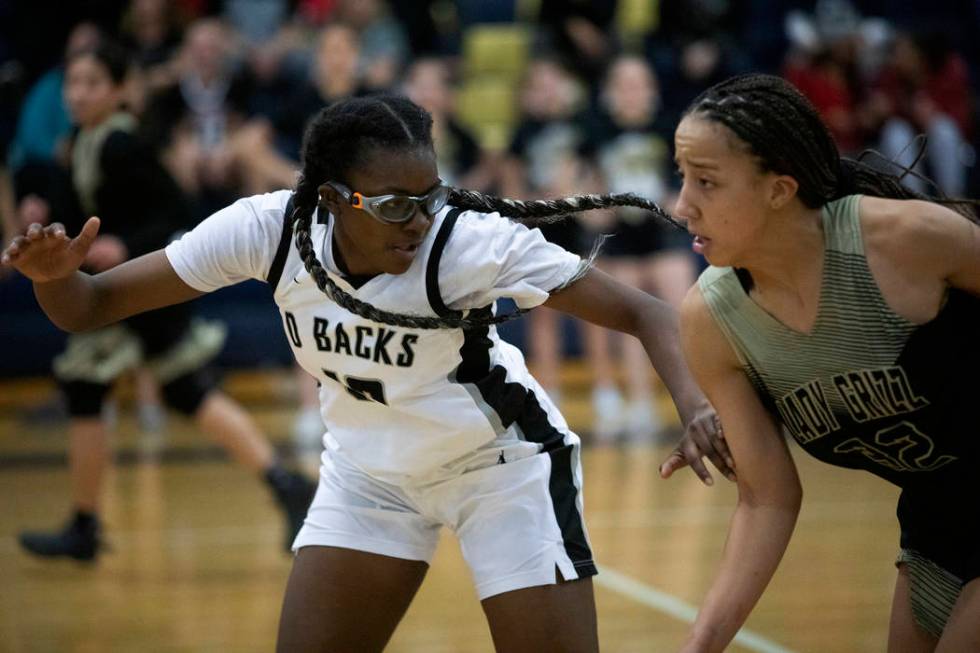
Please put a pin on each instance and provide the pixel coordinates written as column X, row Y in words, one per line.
column 115, row 176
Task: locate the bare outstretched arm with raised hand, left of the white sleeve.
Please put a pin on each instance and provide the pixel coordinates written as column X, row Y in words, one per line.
column 76, row 301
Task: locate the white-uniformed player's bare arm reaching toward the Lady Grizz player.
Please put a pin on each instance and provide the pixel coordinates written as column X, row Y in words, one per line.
column 600, row 299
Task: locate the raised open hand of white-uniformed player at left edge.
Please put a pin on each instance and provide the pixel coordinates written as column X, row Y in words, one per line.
column 47, row 253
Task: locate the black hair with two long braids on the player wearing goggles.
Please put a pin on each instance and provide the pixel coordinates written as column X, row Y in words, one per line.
column 342, row 136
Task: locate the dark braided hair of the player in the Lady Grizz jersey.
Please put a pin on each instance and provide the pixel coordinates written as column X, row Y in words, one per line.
column 783, row 130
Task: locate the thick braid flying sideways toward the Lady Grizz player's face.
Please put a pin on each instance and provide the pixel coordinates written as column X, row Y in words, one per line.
column 536, row 212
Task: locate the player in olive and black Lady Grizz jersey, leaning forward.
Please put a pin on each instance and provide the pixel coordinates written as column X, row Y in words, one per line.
column 850, row 320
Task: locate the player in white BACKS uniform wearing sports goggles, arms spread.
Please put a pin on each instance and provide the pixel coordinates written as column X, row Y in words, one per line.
column 388, row 299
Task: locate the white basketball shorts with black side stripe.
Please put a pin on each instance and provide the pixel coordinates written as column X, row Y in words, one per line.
column 518, row 519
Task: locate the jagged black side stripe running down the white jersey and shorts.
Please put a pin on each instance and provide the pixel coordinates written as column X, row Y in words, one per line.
column 516, row 404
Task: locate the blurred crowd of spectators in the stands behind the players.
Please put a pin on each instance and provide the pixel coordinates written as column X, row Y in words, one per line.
column 530, row 98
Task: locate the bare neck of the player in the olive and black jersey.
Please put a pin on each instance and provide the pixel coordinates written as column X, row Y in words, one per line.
column 789, row 252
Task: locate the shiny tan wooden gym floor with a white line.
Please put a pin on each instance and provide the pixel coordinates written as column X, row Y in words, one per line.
column 196, row 563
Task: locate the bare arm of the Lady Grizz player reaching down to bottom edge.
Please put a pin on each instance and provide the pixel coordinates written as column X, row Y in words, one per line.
column 769, row 492
